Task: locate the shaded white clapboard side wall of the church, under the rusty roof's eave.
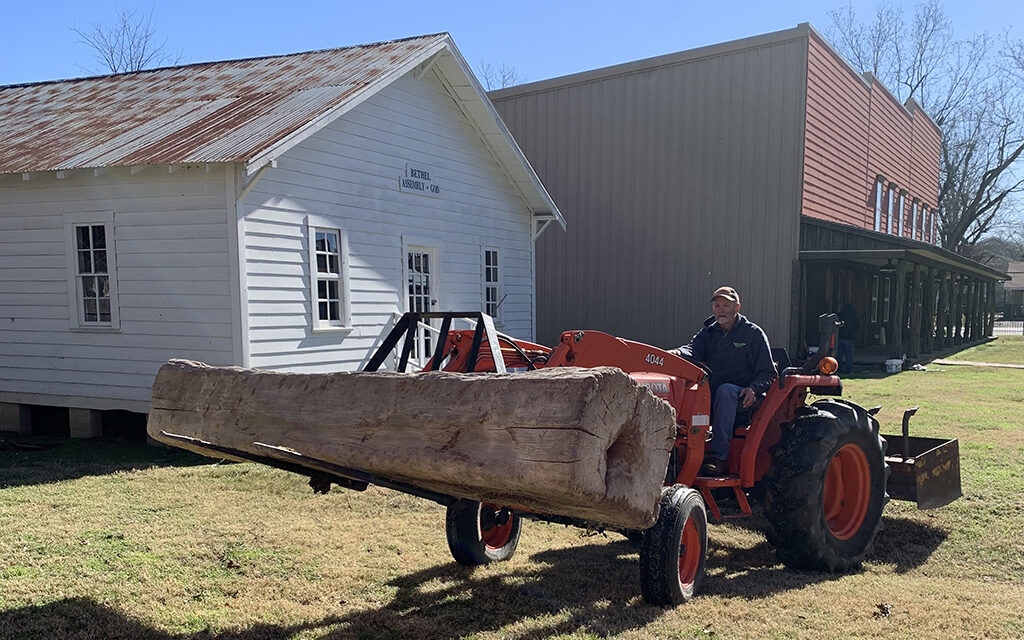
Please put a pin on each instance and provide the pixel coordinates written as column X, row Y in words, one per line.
column 172, row 245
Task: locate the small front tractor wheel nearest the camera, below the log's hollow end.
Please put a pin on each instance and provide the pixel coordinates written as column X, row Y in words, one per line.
column 673, row 552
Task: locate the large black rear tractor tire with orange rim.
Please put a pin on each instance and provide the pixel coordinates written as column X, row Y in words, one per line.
column 827, row 488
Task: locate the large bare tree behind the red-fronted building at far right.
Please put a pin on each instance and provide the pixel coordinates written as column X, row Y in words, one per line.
column 965, row 89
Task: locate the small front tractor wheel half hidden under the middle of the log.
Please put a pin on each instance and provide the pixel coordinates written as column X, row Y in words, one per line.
column 479, row 534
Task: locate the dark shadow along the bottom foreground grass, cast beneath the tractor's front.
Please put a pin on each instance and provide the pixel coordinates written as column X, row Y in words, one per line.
column 592, row 588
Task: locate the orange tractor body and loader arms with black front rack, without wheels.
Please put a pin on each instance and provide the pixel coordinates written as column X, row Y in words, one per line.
column 684, row 383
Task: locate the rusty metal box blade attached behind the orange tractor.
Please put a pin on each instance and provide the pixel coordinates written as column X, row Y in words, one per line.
column 924, row 471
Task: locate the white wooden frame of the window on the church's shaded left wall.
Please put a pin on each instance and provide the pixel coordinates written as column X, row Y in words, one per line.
column 76, row 298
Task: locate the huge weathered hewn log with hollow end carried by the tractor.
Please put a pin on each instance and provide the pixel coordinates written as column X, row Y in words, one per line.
column 583, row 443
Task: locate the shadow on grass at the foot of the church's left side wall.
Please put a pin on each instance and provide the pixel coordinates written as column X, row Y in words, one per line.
column 64, row 459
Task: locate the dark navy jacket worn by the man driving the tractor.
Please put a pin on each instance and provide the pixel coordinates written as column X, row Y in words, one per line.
column 741, row 357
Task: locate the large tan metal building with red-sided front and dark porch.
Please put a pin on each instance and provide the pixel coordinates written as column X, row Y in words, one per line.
column 721, row 166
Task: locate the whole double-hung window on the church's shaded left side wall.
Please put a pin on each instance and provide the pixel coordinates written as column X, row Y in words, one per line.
column 92, row 271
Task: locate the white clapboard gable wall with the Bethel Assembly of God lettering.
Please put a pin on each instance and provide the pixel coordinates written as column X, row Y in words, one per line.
column 349, row 175
